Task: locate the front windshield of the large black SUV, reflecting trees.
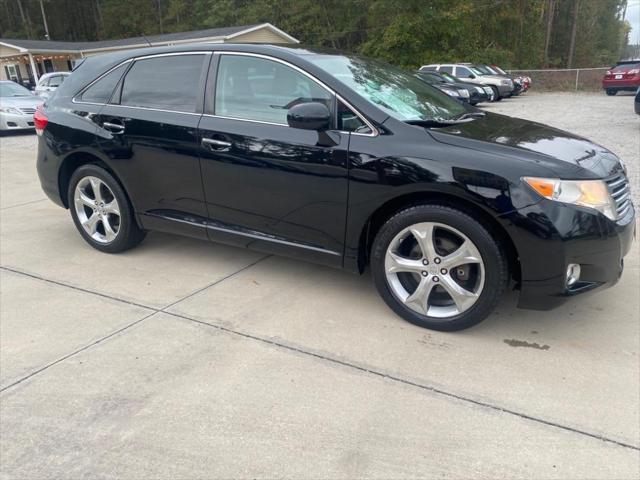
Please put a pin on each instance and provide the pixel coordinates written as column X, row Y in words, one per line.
column 397, row 92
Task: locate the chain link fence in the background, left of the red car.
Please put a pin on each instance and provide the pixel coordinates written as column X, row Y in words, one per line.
column 574, row 79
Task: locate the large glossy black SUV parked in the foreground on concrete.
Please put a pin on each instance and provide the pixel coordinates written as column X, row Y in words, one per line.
column 340, row 160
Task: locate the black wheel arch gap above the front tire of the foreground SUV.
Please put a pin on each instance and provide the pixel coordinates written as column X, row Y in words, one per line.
column 388, row 209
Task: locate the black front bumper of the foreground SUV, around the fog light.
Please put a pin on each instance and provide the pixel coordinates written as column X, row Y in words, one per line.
column 550, row 235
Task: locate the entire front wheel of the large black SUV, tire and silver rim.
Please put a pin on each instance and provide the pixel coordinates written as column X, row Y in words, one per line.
column 438, row 268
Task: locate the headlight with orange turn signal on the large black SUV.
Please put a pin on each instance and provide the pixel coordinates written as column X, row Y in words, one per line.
column 587, row 193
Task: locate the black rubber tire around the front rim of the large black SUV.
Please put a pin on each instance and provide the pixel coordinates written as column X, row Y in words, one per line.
column 493, row 257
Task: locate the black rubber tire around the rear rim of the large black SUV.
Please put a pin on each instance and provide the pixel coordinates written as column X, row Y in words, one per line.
column 129, row 233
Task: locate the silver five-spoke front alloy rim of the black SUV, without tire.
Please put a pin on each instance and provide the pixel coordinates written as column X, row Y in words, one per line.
column 434, row 269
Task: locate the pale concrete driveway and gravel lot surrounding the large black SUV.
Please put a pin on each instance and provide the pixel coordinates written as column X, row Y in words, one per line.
column 183, row 359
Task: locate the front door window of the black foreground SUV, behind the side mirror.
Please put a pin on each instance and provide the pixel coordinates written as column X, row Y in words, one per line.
column 259, row 89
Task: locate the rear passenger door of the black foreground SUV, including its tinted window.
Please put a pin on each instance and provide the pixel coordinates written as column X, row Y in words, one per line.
column 149, row 131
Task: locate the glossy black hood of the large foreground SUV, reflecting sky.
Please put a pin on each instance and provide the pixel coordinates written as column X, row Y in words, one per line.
column 568, row 155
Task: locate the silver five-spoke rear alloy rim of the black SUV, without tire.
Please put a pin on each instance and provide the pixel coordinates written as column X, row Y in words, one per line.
column 97, row 209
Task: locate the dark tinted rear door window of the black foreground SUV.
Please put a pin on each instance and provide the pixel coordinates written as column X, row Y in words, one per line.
column 168, row 83
